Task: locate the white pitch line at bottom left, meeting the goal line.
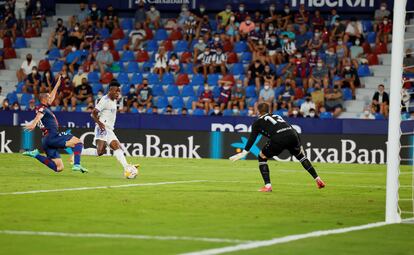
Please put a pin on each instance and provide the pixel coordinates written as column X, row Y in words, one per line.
column 123, row 236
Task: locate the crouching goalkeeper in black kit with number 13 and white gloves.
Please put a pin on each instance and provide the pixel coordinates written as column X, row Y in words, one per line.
column 281, row 137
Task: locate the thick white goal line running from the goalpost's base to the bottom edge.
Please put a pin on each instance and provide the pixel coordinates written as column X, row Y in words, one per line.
column 285, row 239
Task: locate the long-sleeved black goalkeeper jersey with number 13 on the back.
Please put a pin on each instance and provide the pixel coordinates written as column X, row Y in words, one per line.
column 267, row 125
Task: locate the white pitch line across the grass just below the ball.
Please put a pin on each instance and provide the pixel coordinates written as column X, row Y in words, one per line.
column 99, row 187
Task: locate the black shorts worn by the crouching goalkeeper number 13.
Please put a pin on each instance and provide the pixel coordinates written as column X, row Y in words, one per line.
column 288, row 140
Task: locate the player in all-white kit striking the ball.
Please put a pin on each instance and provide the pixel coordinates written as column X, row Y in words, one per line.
column 104, row 116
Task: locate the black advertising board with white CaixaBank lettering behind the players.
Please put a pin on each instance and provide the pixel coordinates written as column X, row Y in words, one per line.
column 331, row 148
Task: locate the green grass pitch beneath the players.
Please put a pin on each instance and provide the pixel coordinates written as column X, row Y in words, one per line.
column 225, row 205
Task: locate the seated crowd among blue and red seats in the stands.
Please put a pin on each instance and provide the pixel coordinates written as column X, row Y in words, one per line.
column 300, row 62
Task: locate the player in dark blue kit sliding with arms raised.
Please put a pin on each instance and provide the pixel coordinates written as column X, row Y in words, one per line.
column 52, row 139
